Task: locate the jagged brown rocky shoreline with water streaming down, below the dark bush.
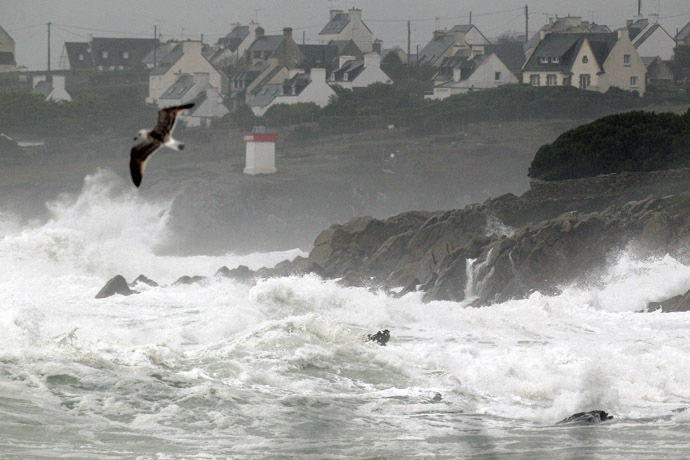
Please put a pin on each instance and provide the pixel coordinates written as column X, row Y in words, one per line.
column 506, row 247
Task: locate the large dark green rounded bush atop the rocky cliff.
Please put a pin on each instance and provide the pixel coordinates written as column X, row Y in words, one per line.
column 633, row 141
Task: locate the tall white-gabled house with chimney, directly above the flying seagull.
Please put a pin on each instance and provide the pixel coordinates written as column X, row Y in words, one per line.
column 186, row 57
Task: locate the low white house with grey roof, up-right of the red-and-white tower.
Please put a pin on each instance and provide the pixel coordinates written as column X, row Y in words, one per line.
column 299, row 87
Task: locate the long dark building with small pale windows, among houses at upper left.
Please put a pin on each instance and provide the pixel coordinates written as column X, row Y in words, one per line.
column 106, row 54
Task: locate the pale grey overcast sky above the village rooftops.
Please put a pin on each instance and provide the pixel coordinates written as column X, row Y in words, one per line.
column 74, row 20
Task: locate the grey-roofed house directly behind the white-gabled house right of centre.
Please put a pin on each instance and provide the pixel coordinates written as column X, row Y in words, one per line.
column 446, row 43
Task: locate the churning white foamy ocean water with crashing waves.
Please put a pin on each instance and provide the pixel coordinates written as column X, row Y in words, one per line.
column 281, row 369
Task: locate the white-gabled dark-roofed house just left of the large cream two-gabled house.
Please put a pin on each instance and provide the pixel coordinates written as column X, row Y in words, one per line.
column 463, row 74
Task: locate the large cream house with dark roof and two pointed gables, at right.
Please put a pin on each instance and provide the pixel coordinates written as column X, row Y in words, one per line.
column 589, row 61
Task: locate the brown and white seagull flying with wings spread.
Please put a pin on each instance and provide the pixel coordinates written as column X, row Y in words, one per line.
column 159, row 136
